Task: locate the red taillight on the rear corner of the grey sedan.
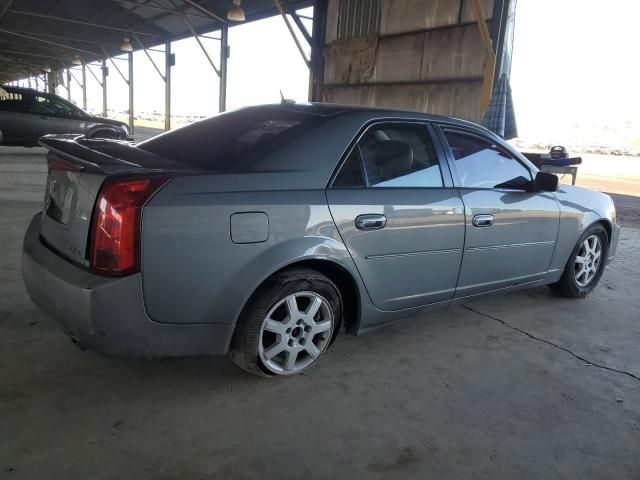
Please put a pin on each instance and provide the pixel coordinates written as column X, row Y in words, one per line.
column 117, row 221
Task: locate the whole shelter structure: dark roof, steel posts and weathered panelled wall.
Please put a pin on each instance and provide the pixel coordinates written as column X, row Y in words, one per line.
column 441, row 56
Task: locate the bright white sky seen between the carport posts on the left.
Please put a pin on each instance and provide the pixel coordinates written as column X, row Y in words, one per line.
column 264, row 59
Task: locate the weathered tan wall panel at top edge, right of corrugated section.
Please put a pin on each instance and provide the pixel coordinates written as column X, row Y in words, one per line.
column 398, row 16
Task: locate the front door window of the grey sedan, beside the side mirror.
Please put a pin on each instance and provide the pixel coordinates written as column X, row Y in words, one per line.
column 481, row 164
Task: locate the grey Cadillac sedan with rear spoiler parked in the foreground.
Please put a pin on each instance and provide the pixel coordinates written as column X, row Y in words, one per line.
column 266, row 231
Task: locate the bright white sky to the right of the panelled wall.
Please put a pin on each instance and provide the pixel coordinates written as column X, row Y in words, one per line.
column 576, row 62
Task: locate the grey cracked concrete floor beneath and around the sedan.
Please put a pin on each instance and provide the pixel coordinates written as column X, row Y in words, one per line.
column 521, row 385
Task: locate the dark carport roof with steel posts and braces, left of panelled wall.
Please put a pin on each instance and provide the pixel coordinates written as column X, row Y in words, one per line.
column 39, row 38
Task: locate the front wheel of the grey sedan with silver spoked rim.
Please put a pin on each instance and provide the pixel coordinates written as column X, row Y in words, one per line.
column 573, row 283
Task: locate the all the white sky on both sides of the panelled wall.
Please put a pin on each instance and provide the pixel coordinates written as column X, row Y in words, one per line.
column 575, row 64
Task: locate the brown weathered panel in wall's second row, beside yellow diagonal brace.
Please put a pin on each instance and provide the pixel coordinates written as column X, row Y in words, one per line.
column 453, row 53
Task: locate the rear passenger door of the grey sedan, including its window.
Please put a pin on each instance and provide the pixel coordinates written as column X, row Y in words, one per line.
column 395, row 207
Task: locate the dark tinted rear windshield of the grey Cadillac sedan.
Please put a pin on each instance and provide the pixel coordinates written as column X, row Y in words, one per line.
column 234, row 140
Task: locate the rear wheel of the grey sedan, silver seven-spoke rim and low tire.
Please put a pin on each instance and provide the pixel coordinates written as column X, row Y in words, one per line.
column 270, row 340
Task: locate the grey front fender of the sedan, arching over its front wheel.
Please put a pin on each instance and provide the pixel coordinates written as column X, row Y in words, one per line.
column 579, row 208
